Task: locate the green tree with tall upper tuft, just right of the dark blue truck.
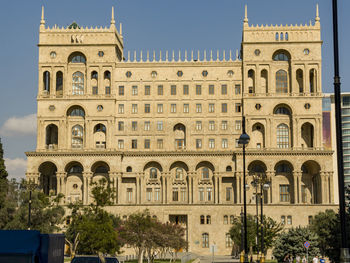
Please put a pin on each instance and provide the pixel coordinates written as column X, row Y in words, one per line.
column 95, row 226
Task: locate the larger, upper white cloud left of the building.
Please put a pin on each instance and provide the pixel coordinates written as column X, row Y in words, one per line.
column 15, row 126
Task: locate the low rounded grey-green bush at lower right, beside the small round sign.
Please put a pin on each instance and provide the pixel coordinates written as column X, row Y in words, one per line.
column 291, row 242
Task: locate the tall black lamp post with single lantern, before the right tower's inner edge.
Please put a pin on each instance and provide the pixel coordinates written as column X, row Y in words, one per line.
column 244, row 140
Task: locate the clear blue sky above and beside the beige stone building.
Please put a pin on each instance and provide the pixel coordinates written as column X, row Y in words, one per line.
column 147, row 25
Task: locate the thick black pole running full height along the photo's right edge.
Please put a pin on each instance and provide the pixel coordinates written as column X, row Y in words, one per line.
column 344, row 250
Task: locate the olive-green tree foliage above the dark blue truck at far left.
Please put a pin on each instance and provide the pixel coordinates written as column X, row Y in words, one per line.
column 46, row 213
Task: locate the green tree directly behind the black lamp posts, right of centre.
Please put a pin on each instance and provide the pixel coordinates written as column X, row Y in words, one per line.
column 271, row 231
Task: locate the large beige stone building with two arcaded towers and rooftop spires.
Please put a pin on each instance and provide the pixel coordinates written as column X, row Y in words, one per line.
column 163, row 129
